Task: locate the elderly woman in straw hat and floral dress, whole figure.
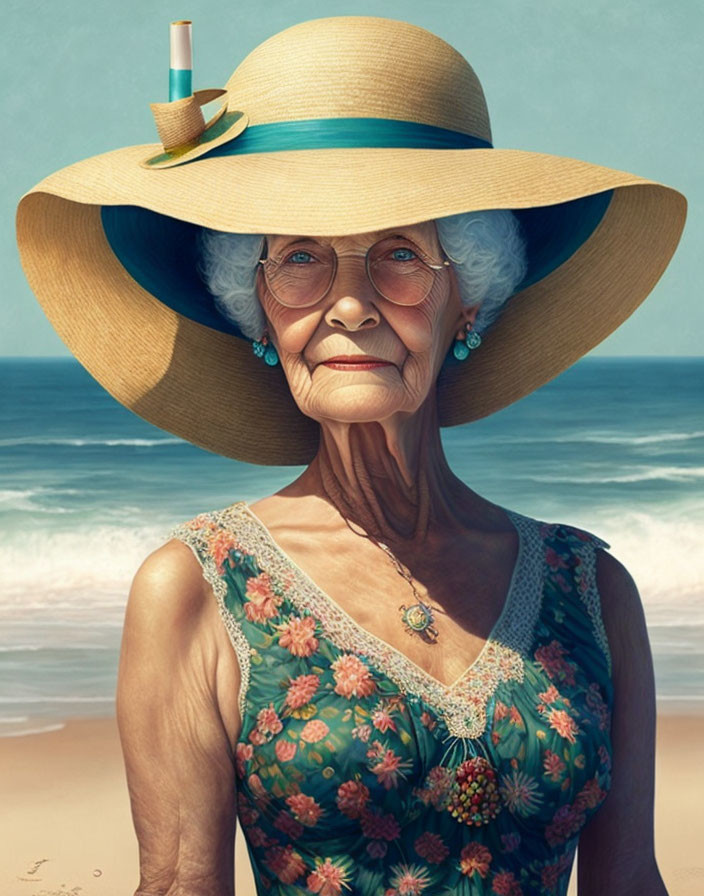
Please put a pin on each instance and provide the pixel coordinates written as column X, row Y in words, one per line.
column 396, row 685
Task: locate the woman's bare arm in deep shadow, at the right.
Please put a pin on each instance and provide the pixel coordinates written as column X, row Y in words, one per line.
column 616, row 855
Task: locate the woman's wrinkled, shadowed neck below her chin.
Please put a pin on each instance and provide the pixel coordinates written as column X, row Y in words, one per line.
column 390, row 478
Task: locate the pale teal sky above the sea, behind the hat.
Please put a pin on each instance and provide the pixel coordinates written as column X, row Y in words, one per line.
column 614, row 82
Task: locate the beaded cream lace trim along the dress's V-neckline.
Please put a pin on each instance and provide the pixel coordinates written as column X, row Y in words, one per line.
column 461, row 704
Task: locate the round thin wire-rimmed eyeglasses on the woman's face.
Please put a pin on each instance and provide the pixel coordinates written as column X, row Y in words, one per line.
column 303, row 274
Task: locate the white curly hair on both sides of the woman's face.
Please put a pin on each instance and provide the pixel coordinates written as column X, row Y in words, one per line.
column 486, row 249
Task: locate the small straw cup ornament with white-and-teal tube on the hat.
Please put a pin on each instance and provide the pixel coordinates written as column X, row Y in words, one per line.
column 182, row 129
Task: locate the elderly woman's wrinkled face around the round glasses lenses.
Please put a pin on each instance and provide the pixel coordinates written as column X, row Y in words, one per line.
column 352, row 321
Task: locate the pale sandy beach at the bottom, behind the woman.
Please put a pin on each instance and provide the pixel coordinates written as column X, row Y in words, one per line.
column 66, row 826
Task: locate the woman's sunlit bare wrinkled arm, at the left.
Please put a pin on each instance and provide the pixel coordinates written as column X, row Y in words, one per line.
column 178, row 756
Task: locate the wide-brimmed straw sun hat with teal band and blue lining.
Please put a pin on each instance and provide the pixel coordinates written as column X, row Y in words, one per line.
column 353, row 124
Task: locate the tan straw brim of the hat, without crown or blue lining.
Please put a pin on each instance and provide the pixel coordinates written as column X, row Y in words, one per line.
column 205, row 385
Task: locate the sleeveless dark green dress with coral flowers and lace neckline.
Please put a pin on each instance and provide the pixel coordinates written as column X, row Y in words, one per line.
column 359, row 773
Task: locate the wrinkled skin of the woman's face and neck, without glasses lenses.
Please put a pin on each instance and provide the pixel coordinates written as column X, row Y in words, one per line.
column 381, row 461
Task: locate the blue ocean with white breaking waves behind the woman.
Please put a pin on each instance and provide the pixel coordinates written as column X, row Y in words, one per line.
column 87, row 490
